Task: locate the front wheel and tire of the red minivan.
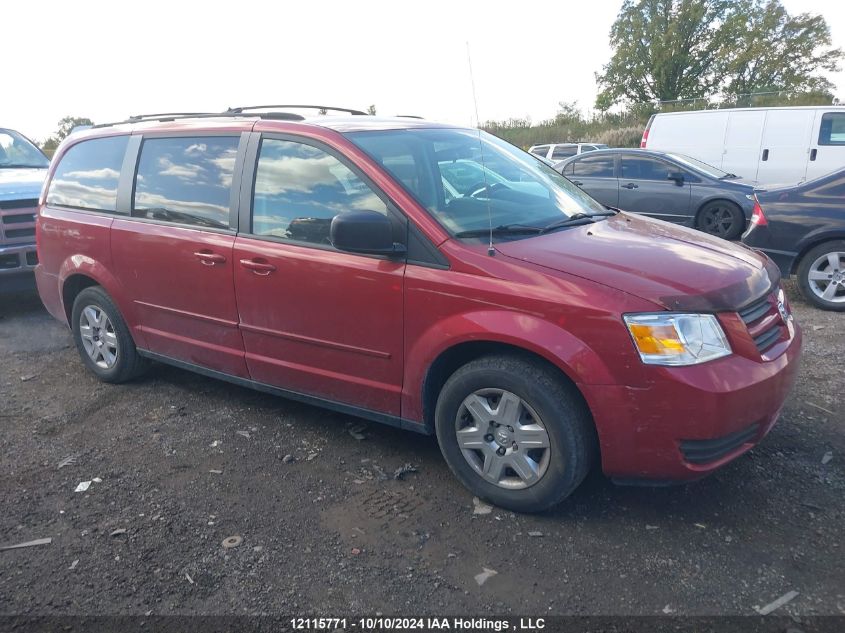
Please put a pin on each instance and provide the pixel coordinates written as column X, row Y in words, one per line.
column 514, row 432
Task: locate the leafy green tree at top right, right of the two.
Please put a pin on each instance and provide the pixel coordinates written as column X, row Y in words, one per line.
column 773, row 51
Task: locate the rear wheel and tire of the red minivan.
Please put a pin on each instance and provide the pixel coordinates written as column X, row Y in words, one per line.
column 103, row 339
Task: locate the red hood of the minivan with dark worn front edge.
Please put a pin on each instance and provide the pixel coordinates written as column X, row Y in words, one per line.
column 672, row 266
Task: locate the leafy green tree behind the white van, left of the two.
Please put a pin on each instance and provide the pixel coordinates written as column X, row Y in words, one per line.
column 664, row 50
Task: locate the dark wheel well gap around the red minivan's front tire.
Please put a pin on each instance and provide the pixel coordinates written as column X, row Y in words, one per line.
column 456, row 357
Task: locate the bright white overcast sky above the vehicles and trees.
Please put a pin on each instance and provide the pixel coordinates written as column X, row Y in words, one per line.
column 109, row 59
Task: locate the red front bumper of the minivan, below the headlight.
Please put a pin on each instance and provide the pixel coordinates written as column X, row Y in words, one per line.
column 691, row 420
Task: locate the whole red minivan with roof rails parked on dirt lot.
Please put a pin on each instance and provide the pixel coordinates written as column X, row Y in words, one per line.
column 422, row 275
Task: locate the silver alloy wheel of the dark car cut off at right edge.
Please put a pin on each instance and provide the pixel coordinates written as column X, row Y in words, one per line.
column 821, row 276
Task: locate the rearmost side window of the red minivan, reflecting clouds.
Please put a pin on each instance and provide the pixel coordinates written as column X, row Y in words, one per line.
column 88, row 174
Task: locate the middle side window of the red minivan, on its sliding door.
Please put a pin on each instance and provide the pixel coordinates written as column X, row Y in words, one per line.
column 186, row 180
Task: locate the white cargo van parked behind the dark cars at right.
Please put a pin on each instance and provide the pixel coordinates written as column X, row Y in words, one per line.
column 766, row 146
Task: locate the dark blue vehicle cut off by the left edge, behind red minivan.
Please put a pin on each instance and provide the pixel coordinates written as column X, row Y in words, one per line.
column 22, row 170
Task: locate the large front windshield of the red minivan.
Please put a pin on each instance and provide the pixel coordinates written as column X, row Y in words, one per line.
column 471, row 182
